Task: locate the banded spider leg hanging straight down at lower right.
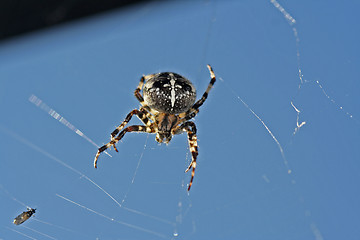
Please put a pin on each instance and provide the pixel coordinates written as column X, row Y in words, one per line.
column 190, row 127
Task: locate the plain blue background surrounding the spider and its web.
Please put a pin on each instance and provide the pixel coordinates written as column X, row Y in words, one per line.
column 87, row 71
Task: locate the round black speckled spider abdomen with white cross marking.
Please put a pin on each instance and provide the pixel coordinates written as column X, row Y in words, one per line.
column 169, row 92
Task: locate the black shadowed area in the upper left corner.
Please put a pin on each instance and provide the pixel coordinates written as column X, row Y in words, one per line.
column 22, row 16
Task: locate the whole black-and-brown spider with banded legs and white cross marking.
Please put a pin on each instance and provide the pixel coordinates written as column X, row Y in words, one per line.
column 167, row 105
